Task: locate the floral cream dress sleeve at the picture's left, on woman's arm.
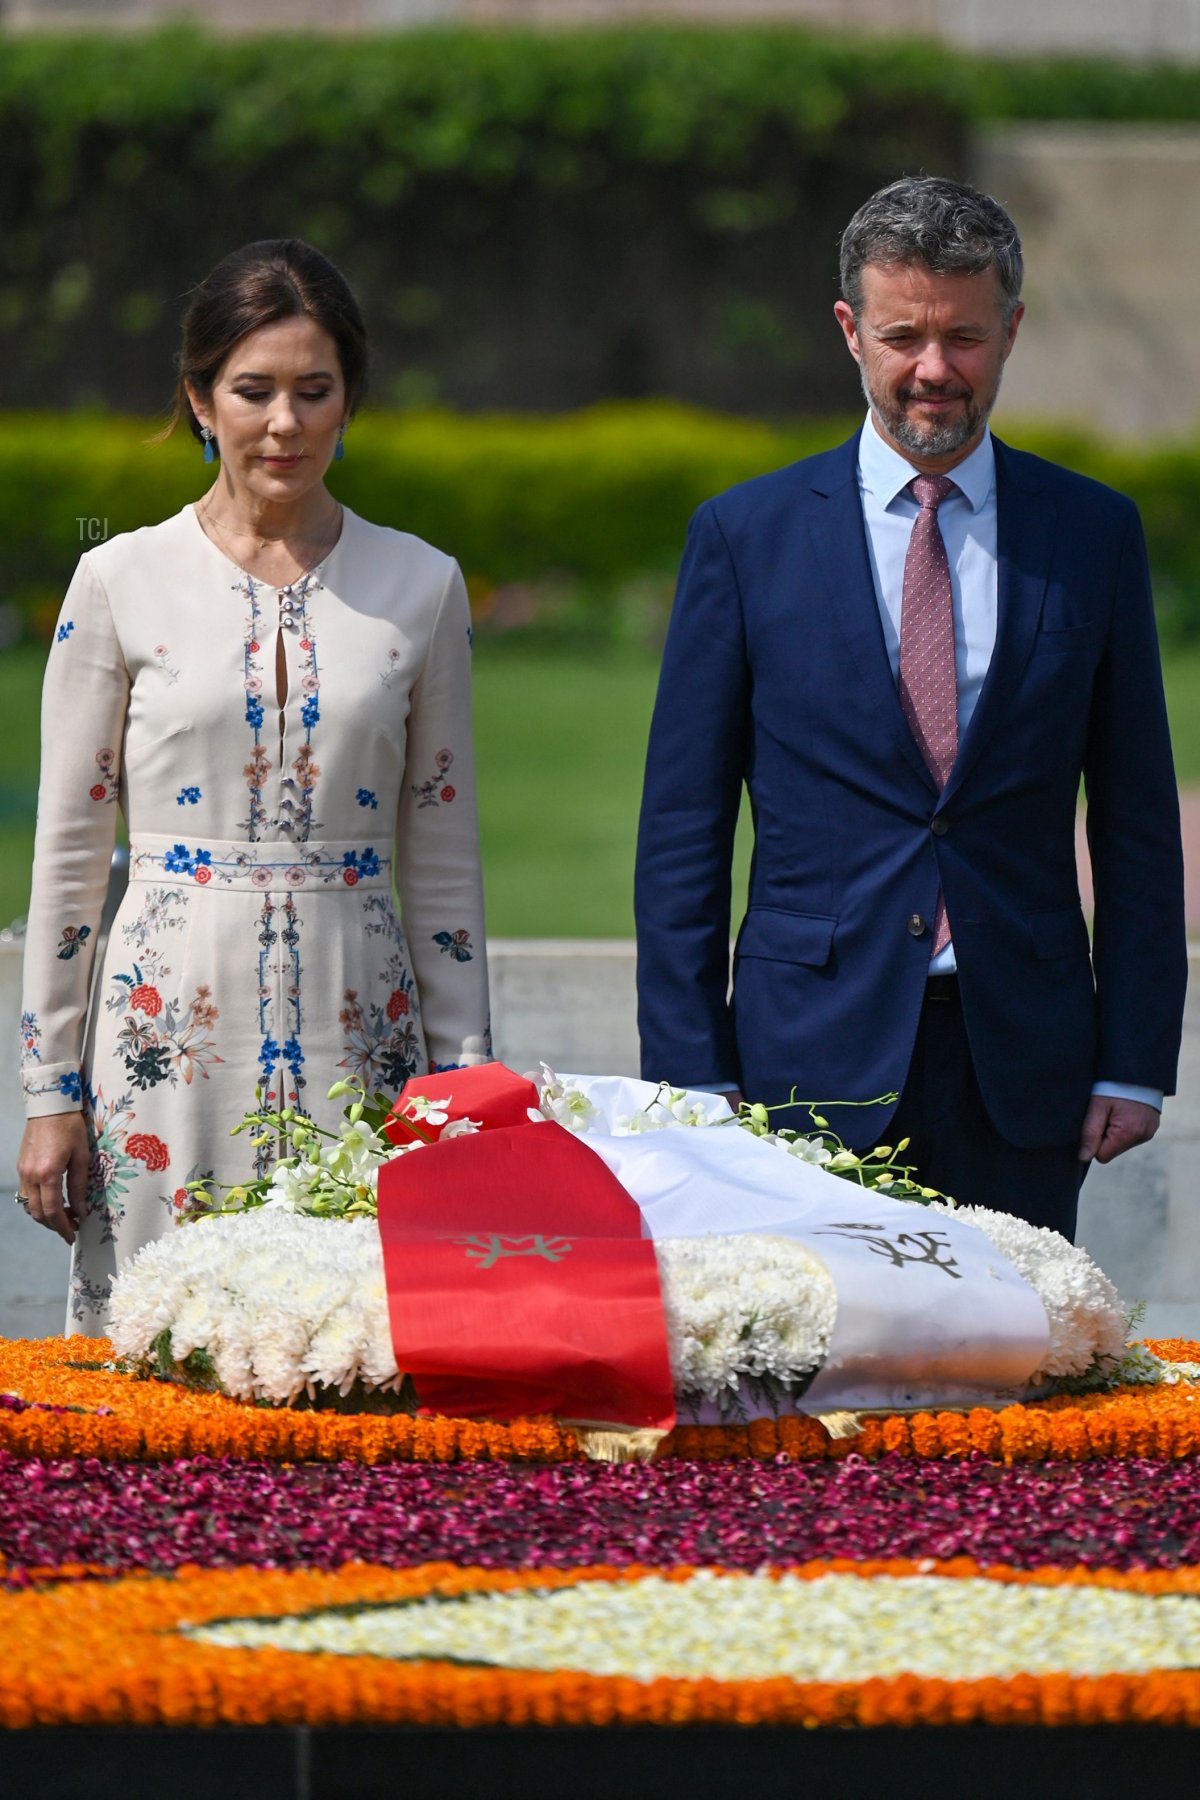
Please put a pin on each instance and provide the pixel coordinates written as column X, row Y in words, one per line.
column 84, row 710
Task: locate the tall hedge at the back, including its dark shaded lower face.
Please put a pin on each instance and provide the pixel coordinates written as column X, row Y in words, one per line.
column 532, row 219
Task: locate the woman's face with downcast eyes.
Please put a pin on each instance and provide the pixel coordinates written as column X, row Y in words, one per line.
column 276, row 409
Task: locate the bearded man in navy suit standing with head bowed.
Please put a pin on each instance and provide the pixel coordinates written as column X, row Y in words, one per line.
column 913, row 922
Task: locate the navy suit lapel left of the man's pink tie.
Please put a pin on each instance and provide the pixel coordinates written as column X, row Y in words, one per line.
column 839, row 541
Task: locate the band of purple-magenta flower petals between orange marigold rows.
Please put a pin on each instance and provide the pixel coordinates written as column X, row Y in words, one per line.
column 1115, row 1513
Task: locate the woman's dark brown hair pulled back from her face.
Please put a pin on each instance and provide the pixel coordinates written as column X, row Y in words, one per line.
column 278, row 278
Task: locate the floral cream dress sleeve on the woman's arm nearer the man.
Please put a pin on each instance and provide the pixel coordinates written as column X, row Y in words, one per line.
column 438, row 870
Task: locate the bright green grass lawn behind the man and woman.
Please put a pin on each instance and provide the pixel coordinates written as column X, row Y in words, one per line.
column 560, row 746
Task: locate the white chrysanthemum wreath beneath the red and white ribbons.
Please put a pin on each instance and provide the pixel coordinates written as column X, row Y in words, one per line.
column 285, row 1302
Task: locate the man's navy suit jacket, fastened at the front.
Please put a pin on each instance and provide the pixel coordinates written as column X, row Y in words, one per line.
column 776, row 676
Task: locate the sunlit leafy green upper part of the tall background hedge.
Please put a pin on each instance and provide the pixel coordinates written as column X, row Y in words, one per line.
column 483, row 103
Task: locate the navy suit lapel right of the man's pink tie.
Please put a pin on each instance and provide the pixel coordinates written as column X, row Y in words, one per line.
column 1025, row 546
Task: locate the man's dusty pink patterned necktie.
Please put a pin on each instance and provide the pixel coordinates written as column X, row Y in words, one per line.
column 929, row 688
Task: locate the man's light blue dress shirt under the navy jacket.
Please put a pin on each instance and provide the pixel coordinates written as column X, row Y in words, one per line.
column 969, row 530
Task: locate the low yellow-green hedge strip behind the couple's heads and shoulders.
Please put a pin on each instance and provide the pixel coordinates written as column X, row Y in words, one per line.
column 598, row 498
